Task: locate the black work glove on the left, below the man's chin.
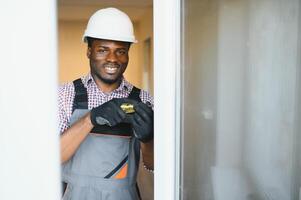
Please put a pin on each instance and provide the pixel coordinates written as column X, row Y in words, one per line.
column 108, row 113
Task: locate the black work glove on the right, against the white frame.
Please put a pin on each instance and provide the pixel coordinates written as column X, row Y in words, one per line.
column 143, row 122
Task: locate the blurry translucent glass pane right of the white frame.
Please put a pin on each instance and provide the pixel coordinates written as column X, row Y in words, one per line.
column 240, row 93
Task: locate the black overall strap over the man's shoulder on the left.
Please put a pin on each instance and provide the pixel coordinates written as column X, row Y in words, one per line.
column 81, row 96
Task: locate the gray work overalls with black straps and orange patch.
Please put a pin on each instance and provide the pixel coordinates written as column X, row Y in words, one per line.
column 104, row 167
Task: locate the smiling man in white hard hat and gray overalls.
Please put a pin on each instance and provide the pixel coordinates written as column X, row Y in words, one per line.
column 104, row 120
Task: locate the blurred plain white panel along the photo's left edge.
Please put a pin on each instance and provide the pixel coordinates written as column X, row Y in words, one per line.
column 29, row 147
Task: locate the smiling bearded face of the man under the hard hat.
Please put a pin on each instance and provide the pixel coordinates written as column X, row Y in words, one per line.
column 108, row 60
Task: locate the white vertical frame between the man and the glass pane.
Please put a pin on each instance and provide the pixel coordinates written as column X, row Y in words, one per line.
column 167, row 92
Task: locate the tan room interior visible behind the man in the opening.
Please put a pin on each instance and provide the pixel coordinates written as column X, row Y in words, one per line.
column 73, row 63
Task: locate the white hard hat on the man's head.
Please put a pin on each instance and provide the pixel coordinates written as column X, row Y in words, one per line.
column 110, row 24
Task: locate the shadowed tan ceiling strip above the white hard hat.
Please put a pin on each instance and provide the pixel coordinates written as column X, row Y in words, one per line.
column 83, row 9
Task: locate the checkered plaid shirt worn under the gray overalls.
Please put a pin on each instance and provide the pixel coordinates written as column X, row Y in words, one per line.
column 95, row 97
